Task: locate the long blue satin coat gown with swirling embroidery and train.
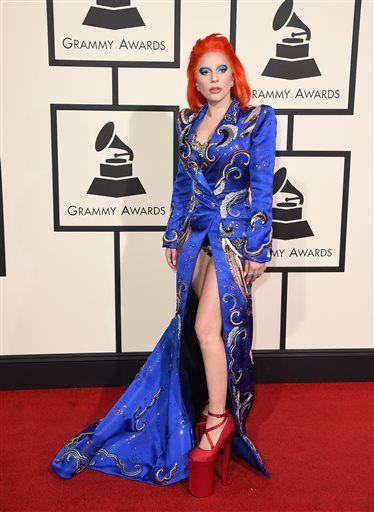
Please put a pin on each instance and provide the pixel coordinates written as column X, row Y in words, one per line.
column 221, row 203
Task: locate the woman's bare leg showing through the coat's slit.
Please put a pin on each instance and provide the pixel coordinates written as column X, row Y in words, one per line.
column 208, row 326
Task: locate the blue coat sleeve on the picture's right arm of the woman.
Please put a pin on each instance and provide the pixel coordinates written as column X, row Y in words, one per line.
column 261, row 174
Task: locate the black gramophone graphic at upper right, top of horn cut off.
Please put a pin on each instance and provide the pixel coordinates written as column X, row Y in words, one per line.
column 292, row 54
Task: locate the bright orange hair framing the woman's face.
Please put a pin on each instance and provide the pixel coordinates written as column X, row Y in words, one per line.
column 216, row 43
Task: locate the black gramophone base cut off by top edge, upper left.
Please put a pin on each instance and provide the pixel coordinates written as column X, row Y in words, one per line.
column 113, row 14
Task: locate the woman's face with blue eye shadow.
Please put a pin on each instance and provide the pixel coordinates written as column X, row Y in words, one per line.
column 214, row 76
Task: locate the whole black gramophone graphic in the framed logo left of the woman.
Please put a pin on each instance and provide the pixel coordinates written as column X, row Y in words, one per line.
column 114, row 178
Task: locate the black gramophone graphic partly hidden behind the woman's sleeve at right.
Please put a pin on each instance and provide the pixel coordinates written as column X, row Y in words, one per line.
column 287, row 214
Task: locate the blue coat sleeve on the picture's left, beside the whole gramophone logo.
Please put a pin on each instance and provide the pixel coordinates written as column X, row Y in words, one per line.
column 182, row 190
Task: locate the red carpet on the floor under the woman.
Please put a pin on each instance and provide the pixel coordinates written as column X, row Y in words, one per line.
column 316, row 441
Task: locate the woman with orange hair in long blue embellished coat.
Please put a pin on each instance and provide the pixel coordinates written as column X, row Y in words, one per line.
column 218, row 239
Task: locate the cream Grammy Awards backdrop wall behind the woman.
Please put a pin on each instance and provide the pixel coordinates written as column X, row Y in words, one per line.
column 90, row 94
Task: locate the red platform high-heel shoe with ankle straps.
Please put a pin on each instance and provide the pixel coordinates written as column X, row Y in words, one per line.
column 202, row 462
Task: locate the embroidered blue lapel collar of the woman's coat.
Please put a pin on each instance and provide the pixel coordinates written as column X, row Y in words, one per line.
column 220, row 140
